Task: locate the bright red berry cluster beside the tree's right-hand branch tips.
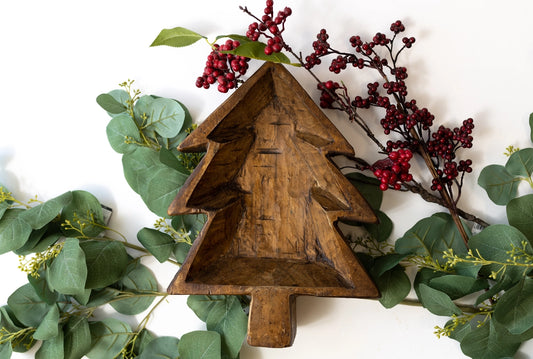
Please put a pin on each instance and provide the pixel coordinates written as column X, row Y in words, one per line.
column 393, row 170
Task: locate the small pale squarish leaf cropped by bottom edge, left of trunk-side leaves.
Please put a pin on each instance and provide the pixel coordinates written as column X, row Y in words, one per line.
column 200, row 345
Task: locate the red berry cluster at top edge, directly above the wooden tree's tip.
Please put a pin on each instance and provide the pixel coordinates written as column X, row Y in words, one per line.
column 271, row 27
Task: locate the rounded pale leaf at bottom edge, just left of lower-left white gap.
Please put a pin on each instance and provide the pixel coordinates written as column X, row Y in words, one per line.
column 108, row 336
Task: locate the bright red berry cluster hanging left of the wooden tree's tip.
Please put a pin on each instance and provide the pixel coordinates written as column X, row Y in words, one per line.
column 223, row 68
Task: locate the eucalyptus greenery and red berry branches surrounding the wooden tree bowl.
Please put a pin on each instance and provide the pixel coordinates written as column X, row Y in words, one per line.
column 77, row 264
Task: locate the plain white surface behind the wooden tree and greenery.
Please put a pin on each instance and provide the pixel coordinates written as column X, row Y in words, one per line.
column 471, row 59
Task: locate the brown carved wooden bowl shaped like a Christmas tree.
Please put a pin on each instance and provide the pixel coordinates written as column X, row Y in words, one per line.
column 272, row 197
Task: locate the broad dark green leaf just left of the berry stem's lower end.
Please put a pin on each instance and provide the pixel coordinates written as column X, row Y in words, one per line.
column 432, row 236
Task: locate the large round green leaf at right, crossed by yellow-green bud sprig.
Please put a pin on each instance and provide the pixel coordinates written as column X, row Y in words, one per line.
column 494, row 244
